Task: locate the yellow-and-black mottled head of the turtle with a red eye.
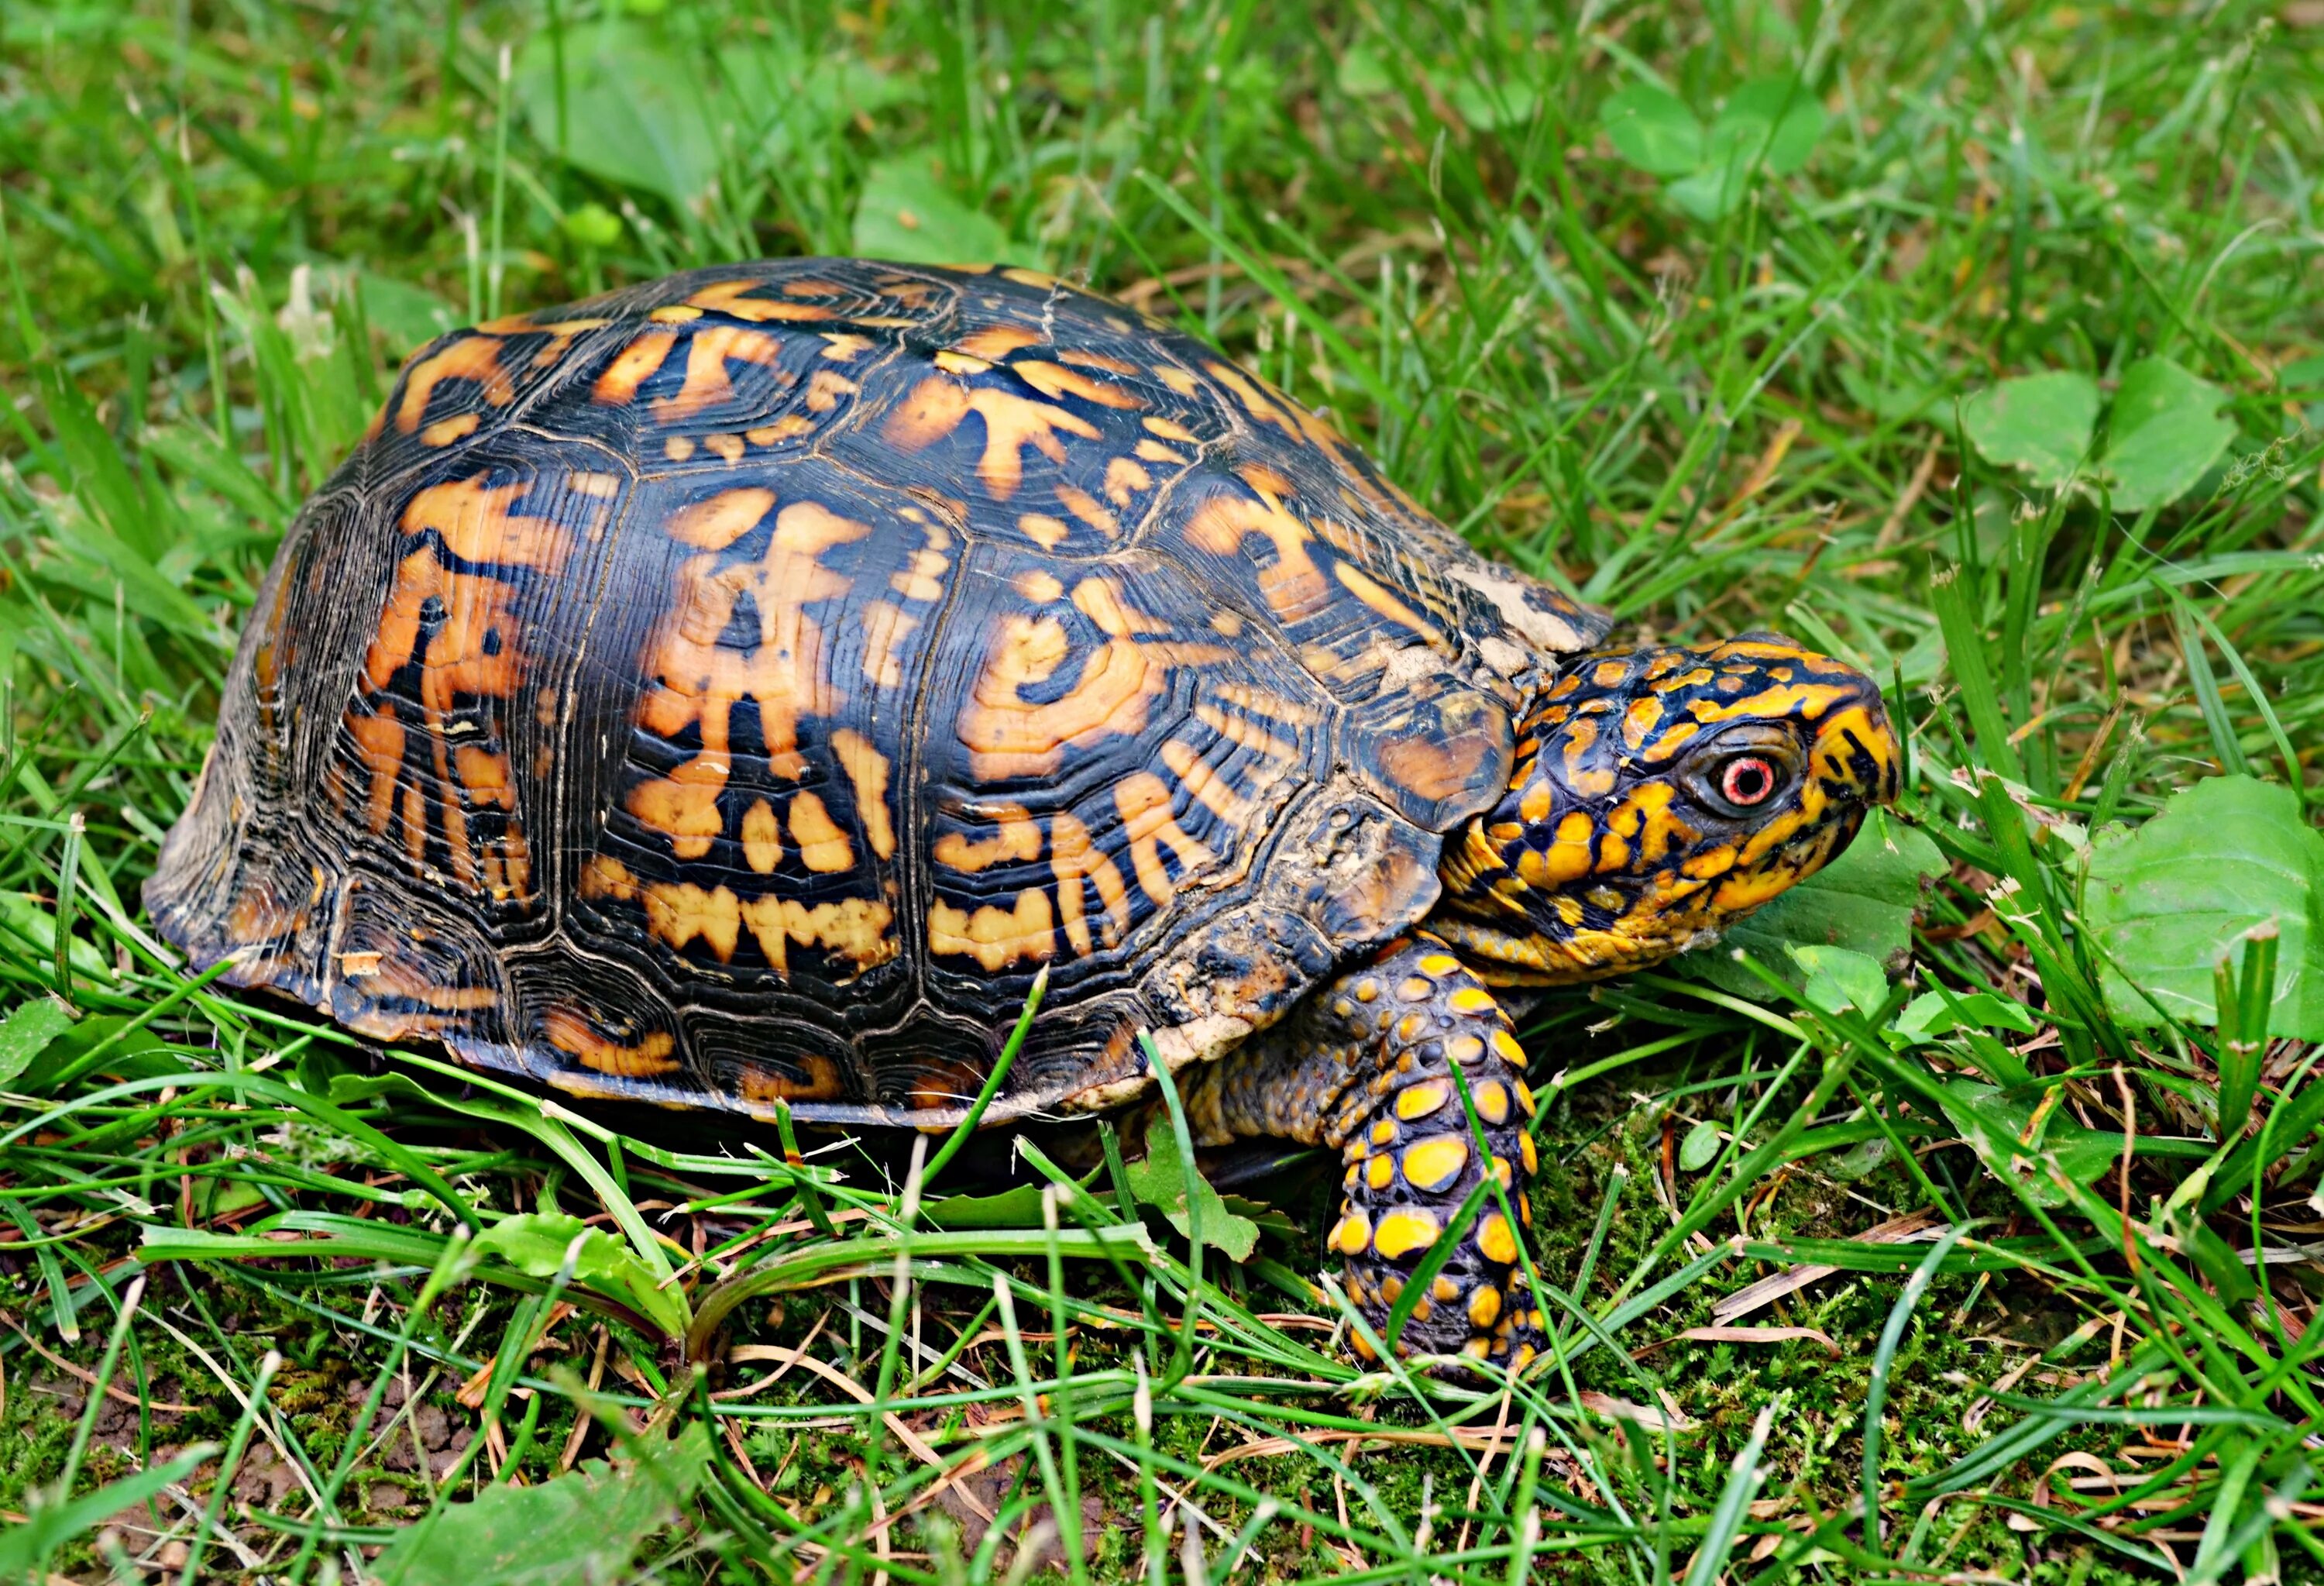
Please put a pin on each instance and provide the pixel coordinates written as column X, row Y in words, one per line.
column 1658, row 799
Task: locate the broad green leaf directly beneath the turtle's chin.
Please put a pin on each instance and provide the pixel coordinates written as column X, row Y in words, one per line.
column 1863, row 901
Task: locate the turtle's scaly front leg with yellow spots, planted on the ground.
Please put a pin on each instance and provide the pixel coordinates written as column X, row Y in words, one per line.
column 1368, row 1066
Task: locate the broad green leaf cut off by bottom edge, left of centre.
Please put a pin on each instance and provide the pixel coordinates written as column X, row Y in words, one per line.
column 571, row 1531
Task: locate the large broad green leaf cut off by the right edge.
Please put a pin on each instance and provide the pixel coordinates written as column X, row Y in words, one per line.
column 2174, row 896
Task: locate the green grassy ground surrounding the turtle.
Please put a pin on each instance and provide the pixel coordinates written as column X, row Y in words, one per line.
column 329, row 1294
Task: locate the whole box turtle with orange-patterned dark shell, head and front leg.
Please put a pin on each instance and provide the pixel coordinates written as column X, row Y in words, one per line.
column 733, row 692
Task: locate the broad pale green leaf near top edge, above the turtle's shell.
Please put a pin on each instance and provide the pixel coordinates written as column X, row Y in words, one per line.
column 636, row 115
